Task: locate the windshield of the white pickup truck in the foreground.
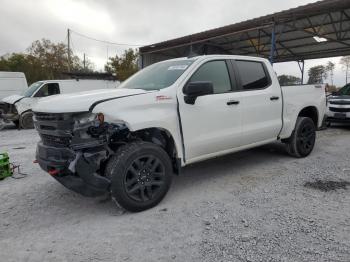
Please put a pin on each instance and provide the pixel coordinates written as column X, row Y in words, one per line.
column 158, row 76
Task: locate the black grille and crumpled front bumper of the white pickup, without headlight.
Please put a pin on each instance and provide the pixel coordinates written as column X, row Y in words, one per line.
column 75, row 169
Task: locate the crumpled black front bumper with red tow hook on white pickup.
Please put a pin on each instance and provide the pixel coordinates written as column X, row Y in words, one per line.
column 84, row 180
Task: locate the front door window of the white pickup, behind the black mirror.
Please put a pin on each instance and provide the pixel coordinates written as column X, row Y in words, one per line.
column 215, row 72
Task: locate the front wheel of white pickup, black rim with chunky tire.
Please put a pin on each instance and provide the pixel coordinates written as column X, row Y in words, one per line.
column 141, row 174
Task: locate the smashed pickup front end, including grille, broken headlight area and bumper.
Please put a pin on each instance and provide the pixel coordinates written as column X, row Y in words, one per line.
column 75, row 147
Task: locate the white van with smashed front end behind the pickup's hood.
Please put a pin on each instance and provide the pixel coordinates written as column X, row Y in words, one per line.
column 18, row 108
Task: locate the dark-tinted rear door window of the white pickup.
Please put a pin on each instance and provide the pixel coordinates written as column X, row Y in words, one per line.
column 252, row 74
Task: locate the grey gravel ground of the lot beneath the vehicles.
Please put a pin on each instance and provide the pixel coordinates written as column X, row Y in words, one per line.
column 249, row 206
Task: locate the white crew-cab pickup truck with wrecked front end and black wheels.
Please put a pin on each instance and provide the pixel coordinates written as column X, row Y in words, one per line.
column 129, row 141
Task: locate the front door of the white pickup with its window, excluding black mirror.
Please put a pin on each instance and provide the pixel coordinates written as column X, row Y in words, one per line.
column 213, row 123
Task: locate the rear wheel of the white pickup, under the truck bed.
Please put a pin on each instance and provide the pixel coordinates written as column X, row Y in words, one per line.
column 302, row 140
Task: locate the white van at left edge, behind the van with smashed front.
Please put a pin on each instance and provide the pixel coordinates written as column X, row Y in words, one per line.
column 12, row 83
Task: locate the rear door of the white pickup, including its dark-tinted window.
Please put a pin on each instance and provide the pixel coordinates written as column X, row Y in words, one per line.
column 261, row 102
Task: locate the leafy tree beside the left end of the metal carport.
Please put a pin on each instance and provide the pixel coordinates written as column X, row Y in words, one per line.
column 123, row 66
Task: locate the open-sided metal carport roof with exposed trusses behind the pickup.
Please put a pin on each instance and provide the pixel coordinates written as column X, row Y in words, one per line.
column 316, row 30
